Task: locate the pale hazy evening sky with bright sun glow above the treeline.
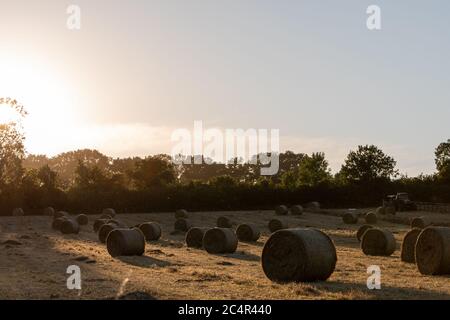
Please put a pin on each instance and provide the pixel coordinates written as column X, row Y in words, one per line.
column 139, row 69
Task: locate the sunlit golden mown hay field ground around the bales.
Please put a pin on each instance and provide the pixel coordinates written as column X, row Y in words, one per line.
column 34, row 259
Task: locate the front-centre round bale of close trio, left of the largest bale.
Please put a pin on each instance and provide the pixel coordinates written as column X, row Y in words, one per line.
column 220, row 240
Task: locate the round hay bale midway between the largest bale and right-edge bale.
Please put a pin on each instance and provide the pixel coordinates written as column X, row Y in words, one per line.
column 378, row 242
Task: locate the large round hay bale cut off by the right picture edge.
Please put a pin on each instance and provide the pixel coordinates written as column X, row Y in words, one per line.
column 433, row 251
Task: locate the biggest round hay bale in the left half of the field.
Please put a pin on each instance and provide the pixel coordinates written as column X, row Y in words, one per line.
column 125, row 242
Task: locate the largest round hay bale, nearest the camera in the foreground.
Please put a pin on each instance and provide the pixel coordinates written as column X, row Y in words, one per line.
column 299, row 255
